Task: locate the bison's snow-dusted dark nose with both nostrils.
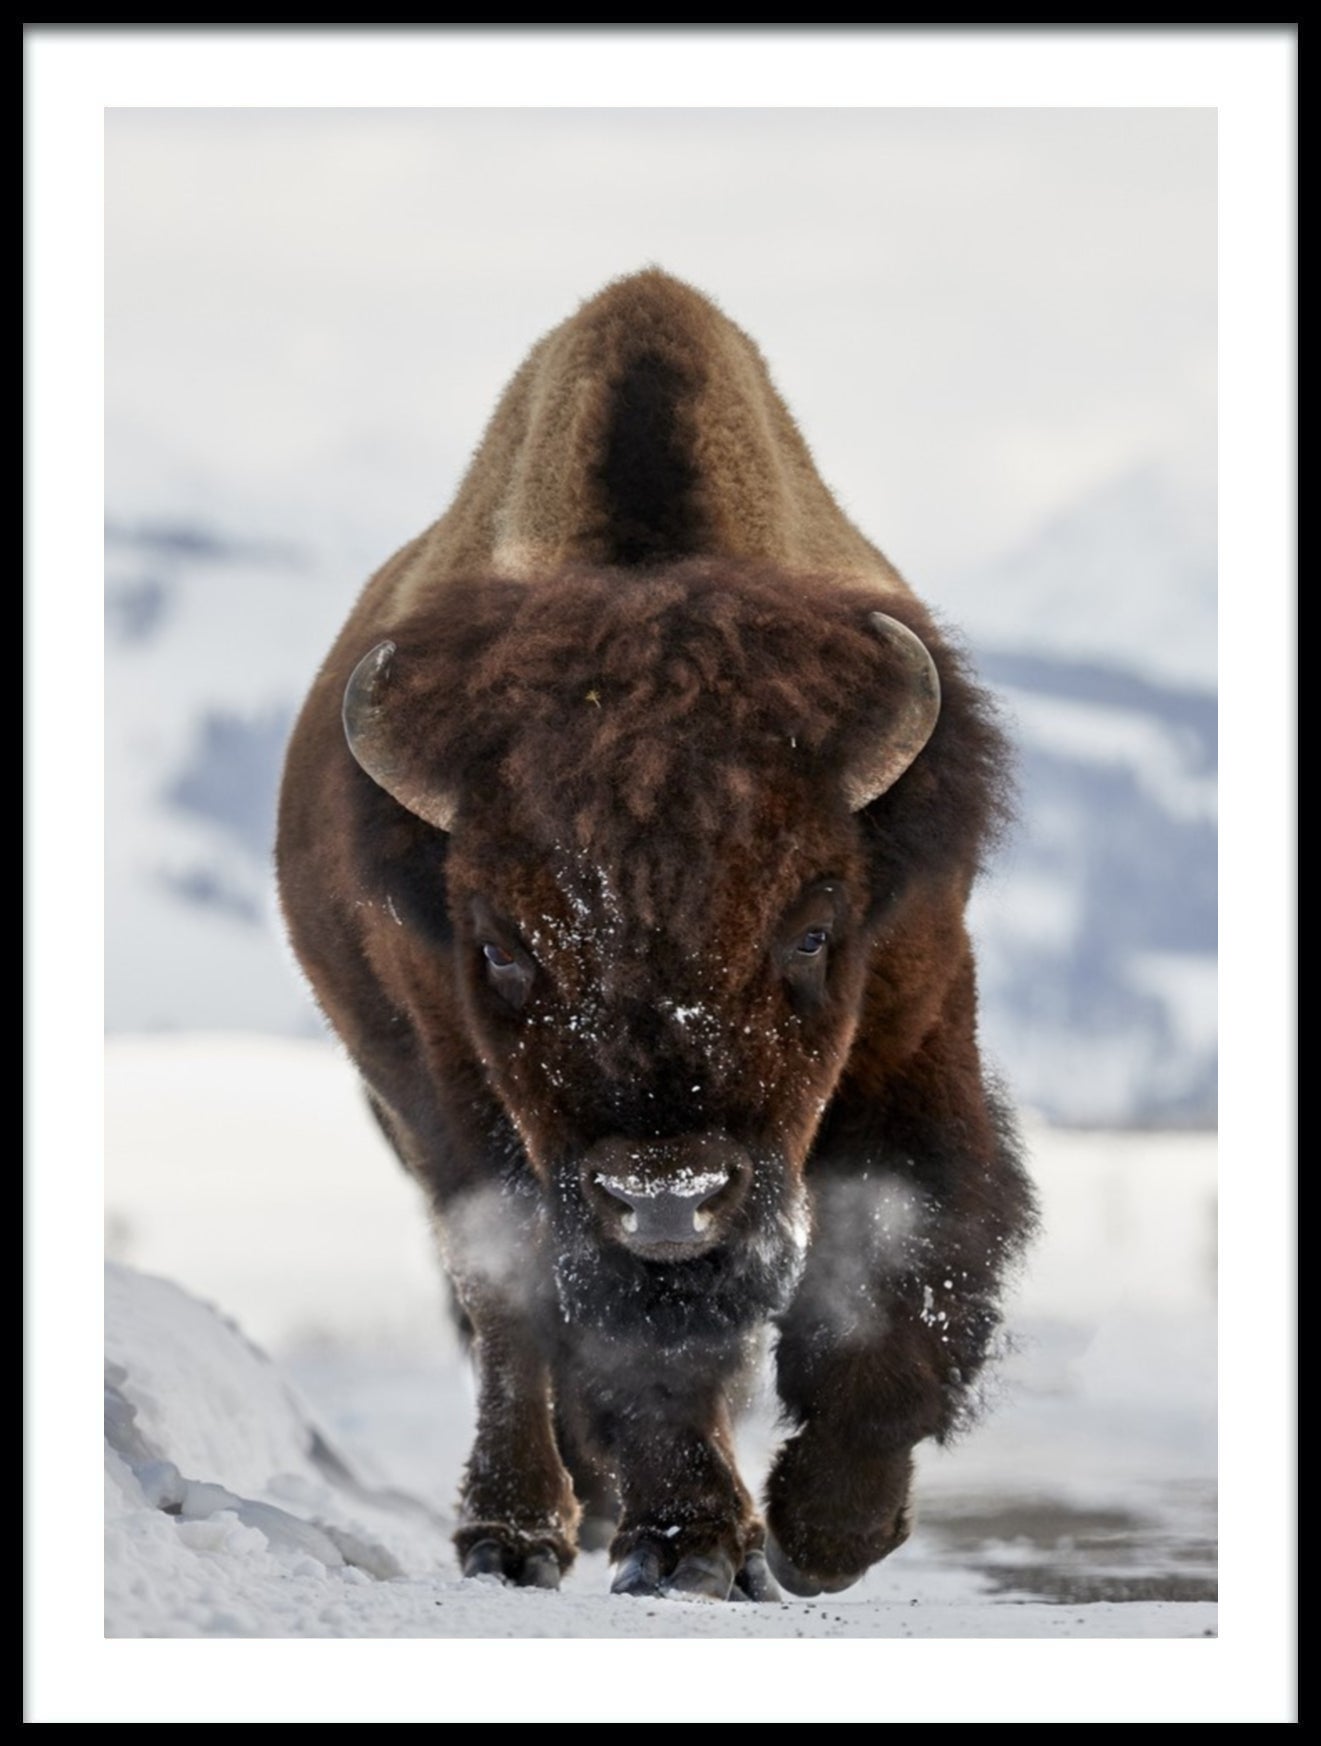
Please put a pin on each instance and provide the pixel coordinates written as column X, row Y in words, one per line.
column 667, row 1199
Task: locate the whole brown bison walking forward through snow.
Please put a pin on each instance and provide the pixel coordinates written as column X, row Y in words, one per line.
column 626, row 839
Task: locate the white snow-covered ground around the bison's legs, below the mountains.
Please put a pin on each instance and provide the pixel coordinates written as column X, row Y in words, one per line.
column 285, row 1462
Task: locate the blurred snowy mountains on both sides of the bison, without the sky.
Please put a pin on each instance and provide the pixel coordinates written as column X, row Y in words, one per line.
column 1099, row 926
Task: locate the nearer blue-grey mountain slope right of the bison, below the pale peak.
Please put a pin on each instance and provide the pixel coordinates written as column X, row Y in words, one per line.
column 1099, row 931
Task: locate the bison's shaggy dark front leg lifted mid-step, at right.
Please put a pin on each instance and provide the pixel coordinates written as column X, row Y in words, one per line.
column 879, row 1351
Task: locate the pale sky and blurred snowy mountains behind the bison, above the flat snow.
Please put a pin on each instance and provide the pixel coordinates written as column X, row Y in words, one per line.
column 997, row 331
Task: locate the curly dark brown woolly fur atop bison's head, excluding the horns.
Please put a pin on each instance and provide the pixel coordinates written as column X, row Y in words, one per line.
column 664, row 722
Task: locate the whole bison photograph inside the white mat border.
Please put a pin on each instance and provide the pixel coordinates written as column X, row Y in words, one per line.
column 652, row 689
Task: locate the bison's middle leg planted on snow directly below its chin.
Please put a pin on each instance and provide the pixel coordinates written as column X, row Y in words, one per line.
column 688, row 1527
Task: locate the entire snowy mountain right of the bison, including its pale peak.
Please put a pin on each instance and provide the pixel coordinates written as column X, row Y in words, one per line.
column 1100, row 930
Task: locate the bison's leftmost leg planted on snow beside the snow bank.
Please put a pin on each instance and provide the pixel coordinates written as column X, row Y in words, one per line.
column 519, row 1515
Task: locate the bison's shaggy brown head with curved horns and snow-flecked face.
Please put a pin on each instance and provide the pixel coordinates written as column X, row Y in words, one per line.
column 652, row 809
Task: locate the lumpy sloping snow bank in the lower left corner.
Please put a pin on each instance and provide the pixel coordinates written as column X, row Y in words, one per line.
column 228, row 1513
